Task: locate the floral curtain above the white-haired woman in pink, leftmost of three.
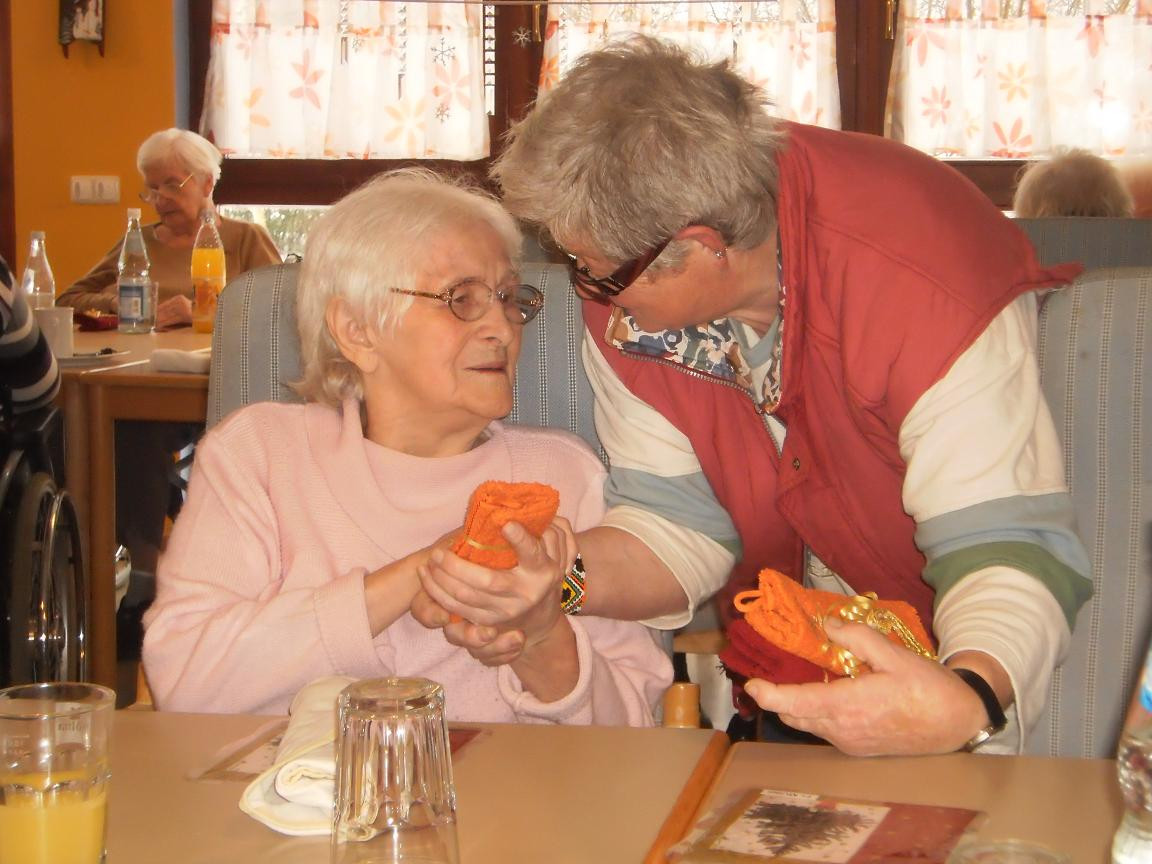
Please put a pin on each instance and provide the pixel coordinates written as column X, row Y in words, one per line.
column 347, row 79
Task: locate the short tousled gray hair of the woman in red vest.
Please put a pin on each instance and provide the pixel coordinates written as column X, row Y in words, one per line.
column 639, row 141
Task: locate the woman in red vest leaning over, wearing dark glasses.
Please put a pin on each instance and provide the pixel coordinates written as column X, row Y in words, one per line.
column 802, row 362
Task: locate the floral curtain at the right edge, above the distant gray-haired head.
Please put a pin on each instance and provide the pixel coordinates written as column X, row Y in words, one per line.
column 1017, row 79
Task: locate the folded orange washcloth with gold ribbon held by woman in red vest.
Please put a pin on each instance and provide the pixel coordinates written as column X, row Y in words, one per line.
column 791, row 618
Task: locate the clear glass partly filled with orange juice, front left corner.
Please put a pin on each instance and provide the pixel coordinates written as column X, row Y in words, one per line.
column 55, row 772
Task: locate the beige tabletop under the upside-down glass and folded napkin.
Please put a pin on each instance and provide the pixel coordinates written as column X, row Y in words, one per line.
column 526, row 794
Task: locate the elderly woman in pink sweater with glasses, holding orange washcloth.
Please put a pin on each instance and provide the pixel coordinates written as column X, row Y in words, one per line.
column 307, row 527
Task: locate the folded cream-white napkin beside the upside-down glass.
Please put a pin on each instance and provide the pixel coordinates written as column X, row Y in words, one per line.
column 297, row 794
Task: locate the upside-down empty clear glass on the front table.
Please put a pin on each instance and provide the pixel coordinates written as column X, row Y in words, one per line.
column 396, row 801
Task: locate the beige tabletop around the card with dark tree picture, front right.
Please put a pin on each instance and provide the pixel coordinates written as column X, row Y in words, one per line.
column 1068, row 805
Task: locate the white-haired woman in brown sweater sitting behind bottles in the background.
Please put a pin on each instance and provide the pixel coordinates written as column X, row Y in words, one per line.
column 180, row 170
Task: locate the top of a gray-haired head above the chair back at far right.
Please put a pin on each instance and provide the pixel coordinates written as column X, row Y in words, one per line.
column 1072, row 184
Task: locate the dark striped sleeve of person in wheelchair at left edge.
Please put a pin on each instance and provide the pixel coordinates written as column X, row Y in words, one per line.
column 29, row 376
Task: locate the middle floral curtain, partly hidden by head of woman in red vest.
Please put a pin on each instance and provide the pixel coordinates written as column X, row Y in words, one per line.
column 789, row 48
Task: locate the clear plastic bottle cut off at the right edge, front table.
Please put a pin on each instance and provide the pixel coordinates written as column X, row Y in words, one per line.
column 1133, row 844
